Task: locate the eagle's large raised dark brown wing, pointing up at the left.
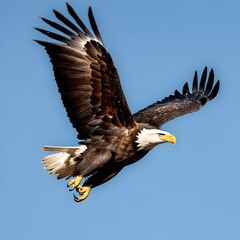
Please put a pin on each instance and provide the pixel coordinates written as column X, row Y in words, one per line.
column 86, row 76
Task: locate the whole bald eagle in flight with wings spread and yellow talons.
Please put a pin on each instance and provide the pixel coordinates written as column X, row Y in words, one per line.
column 111, row 137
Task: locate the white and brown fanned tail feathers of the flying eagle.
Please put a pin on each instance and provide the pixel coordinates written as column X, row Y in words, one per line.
column 64, row 162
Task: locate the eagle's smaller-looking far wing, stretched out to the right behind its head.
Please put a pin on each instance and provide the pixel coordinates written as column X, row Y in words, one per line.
column 180, row 103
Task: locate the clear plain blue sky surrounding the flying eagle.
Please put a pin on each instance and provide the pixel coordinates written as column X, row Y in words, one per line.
column 182, row 192
